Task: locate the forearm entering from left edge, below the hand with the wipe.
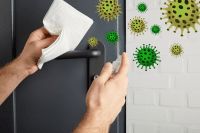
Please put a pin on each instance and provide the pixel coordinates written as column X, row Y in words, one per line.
column 10, row 77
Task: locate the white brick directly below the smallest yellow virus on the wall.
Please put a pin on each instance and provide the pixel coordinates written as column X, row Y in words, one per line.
column 172, row 65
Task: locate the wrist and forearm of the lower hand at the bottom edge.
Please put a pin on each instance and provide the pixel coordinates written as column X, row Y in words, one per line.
column 91, row 124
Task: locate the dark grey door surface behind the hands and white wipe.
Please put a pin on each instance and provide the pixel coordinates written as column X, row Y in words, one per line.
column 53, row 99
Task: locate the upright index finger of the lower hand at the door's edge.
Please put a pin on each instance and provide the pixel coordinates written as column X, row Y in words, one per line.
column 123, row 70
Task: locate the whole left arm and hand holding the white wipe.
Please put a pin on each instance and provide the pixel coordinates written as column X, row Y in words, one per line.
column 26, row 64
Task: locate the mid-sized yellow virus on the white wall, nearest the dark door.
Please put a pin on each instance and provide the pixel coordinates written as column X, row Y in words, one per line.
column 138, row 26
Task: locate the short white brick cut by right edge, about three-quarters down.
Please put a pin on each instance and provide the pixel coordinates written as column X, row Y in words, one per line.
column 194, row 99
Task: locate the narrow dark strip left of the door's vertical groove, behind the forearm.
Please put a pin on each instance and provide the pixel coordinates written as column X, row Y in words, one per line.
column 6, row 112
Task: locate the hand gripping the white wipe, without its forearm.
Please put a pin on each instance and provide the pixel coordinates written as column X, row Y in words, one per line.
column 38, row 40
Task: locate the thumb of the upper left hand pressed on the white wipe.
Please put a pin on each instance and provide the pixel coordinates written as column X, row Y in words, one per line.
column 46, row 42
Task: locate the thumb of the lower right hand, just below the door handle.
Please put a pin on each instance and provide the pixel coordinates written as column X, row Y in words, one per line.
column 106, row 72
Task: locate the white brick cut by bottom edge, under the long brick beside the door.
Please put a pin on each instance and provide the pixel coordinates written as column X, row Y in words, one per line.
column 144, row 128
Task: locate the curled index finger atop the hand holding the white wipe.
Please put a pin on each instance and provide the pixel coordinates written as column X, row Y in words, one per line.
column 38, row 34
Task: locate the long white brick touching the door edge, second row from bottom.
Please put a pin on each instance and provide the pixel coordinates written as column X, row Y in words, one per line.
column 151, row 114
